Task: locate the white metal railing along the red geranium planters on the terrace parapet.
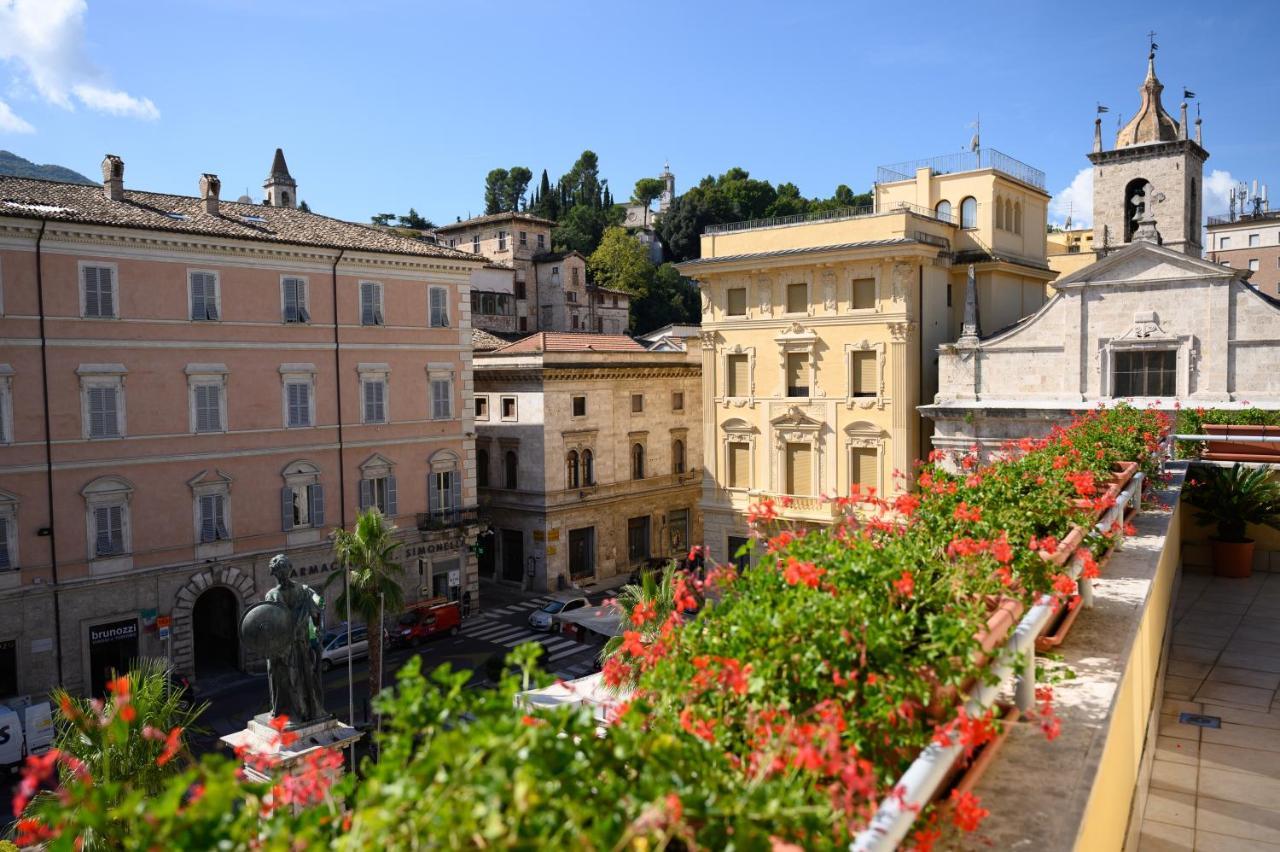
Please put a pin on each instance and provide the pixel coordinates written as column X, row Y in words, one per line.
column 920, row 784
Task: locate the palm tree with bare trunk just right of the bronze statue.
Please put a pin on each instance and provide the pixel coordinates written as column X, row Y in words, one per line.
column 367, row 553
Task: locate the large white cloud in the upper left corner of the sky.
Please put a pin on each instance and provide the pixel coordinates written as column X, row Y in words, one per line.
column 45, row 40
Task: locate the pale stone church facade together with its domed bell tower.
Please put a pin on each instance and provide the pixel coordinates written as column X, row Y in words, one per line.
column 1149, row 322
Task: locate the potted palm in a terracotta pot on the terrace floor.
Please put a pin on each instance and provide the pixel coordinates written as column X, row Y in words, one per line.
column 1232, row 498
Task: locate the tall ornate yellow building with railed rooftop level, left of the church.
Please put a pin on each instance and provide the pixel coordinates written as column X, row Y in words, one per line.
column 820, row 333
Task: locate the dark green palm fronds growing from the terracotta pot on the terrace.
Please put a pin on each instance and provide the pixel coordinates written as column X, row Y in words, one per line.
column 1232, row 498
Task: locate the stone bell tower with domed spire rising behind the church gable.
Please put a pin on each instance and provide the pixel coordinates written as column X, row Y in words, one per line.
column 1153, row 178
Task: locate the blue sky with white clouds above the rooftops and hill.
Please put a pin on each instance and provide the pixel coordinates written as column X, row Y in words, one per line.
column 386, row 106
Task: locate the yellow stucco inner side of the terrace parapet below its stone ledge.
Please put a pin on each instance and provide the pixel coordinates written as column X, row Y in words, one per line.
column 1107, row 818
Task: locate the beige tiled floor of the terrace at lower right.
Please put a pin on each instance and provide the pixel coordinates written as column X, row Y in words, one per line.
column 1219, row 789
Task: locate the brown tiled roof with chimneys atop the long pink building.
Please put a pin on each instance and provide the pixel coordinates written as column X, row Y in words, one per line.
column 31, row 199
